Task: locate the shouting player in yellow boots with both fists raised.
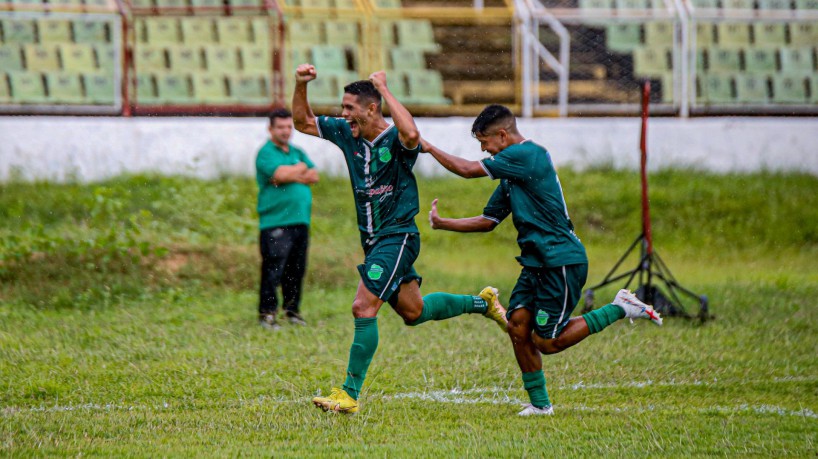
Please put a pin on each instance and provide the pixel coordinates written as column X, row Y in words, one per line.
column 380, row 157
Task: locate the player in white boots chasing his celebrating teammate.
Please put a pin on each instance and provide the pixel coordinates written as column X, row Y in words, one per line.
column 554, row 262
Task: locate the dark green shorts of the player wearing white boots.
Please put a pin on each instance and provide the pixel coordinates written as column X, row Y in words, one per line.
column 551, row 294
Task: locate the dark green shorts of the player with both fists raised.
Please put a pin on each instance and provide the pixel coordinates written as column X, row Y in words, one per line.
column 388, row 264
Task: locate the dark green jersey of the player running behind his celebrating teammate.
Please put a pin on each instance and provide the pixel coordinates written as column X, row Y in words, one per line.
column 530, row 190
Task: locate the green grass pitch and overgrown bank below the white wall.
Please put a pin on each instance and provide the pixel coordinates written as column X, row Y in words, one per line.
column 128, row 328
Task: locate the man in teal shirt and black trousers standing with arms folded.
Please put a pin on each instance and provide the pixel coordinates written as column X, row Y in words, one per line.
column 284, row 174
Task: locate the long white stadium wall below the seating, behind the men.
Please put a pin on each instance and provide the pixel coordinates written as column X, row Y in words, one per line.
column 93, row 149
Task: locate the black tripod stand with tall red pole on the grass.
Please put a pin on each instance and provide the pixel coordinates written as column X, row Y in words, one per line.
column 650, row 264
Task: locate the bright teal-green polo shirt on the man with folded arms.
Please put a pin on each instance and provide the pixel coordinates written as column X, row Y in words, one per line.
column 286, row 204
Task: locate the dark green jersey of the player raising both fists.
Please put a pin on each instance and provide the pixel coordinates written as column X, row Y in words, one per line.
column 380, row 172
